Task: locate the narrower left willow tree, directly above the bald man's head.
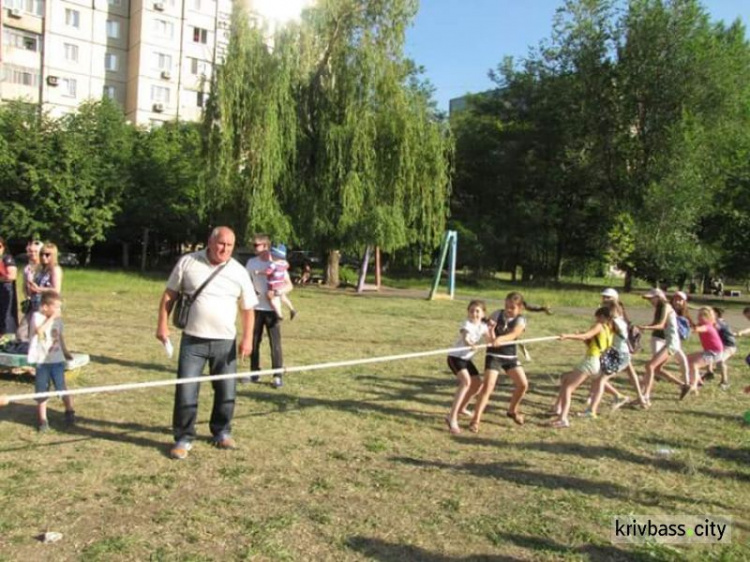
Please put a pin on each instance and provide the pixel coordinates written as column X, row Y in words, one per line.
column 250, row 133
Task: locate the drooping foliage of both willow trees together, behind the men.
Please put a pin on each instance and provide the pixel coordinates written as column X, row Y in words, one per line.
column 328, row 139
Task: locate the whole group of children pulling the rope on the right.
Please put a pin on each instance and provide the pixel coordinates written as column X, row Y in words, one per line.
column 610, row 343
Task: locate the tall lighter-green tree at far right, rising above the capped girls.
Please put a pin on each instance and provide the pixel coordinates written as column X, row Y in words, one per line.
column 677, row 97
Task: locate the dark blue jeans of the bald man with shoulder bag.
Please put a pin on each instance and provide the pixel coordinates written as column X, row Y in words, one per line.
column 221, row 356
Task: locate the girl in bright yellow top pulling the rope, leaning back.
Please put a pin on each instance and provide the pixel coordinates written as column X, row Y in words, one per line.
column 597, row 338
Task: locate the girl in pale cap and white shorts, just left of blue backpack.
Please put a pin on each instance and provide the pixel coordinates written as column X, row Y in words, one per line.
column 665, row 342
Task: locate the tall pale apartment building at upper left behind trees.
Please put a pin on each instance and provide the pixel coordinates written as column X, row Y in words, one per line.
column 154, row 57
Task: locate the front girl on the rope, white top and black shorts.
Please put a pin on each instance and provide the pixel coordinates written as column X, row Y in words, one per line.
column 467, row 376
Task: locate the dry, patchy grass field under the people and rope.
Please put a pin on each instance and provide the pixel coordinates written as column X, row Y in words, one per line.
column 356, row 463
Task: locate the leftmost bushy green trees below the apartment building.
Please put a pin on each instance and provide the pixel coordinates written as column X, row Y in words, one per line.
column 63, row 179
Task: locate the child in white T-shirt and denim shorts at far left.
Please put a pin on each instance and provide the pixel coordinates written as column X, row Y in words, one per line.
column 48, row 352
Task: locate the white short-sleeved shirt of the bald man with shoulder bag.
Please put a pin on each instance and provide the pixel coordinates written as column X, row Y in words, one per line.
column 214, row 313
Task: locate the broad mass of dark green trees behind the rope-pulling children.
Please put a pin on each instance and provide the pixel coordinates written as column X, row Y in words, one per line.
column 614, row 140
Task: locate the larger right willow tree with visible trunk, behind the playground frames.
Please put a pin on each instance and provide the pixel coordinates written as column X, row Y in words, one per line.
column 372, row 159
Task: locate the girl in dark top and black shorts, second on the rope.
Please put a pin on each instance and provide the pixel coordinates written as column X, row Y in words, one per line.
column 505, row 326
